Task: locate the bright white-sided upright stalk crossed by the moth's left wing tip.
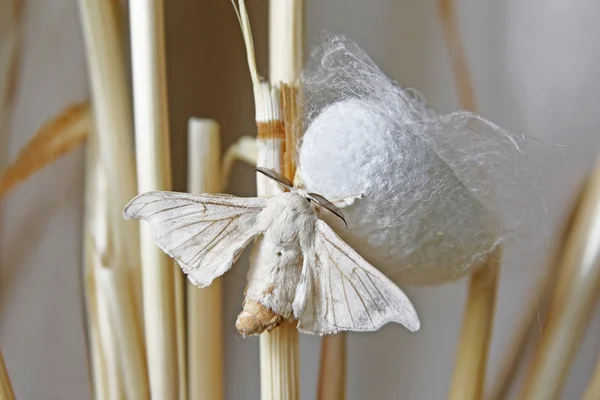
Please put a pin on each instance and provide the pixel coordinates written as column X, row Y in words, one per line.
column 154, row 173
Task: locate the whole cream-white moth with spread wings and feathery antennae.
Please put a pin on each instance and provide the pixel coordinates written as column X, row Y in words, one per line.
column 300, row 269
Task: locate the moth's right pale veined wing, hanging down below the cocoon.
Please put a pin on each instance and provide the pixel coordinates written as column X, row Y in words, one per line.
column 340, row 291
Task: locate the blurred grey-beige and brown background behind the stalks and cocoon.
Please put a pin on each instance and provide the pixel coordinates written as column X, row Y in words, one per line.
column 534, row 64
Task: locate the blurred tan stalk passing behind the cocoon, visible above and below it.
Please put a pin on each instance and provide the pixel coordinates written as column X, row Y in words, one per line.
column 468, row 381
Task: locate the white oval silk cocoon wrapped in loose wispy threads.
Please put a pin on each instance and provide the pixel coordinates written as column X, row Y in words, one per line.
column 442, row 190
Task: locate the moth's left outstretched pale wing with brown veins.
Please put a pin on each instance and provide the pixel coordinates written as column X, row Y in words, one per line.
column 204, row 233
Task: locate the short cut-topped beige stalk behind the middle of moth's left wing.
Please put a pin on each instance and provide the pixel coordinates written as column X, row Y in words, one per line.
column 204, row 306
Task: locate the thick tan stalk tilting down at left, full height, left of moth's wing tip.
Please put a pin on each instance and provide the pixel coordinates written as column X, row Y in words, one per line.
column 118, row 273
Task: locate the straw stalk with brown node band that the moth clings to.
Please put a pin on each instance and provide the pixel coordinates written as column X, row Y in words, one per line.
column 277, row 119
